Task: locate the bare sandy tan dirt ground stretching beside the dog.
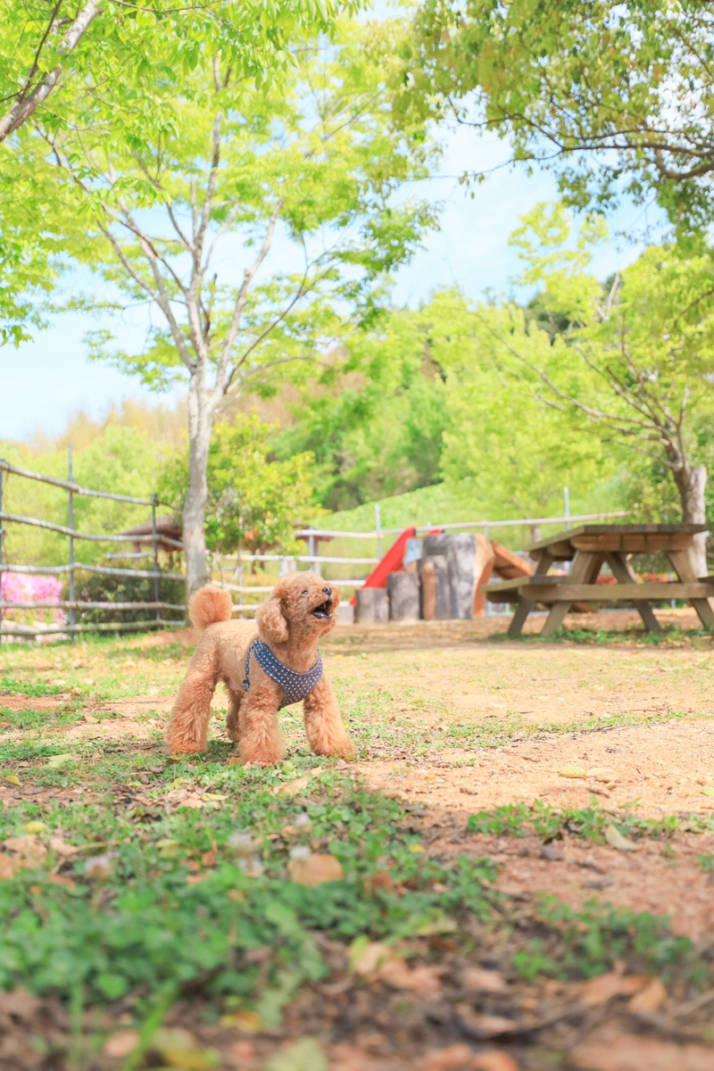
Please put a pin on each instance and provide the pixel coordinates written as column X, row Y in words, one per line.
column 453, row 719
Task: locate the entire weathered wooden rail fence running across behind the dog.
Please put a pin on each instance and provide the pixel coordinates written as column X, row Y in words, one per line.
column 229, row 571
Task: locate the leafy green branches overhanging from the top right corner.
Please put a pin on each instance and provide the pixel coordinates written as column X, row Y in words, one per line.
column 618, row 99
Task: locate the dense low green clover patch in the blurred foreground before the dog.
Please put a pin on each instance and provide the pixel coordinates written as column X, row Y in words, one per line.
column 135, row 923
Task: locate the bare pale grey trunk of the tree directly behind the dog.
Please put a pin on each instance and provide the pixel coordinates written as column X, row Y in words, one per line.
column 201, row 421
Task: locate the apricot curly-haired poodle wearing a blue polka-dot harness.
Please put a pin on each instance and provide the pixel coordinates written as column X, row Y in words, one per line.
column 263, row 673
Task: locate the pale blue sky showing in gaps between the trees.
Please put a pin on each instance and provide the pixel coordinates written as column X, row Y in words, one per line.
column 50, row 379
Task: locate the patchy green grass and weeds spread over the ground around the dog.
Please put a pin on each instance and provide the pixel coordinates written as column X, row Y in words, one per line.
column 162, row 880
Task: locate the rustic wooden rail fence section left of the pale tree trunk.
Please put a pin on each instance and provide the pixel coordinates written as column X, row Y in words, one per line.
column 72, row 605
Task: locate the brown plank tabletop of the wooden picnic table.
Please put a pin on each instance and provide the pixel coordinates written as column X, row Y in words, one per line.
column 630, row 539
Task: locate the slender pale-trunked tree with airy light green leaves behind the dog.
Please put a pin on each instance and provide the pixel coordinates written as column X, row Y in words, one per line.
column 257, row 218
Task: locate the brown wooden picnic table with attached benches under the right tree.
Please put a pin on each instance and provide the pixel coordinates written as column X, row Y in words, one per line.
column 591, row 548
